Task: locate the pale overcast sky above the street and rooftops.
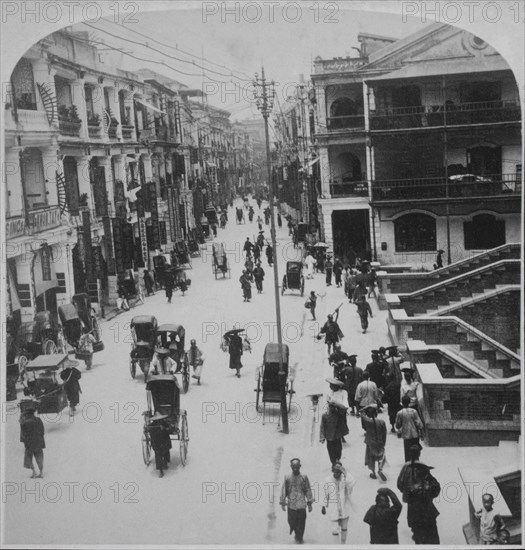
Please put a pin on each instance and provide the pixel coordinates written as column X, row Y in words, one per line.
column 236, row 43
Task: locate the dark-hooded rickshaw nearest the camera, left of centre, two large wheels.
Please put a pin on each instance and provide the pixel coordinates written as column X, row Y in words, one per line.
column 163, row 397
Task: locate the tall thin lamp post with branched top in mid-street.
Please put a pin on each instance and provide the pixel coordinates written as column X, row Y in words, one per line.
column 264, row 93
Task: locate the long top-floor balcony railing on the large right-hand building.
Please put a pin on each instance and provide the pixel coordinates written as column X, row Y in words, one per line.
column 484, row 112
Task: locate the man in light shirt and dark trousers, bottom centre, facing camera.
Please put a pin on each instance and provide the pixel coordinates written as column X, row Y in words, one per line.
column 296, row 495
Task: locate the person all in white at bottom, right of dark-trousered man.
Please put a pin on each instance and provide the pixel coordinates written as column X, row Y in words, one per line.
column 337, row 499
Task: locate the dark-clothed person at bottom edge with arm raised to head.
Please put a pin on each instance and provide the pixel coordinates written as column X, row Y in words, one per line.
column 383, row 518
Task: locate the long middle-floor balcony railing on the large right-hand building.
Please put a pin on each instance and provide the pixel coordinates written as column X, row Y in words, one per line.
column 436, row 188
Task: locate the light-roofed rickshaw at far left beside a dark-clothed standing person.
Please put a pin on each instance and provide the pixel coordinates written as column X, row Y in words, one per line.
column 45, row 389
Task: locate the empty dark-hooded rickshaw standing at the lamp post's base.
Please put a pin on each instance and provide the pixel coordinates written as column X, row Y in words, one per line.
column 268, row 383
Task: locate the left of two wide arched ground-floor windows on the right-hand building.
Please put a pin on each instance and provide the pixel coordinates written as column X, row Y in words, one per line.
column 415, row 232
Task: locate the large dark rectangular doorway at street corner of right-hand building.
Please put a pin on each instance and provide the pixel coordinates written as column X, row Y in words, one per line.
column 351, row 234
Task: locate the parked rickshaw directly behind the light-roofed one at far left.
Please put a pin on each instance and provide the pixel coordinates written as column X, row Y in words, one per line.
column 42, row 336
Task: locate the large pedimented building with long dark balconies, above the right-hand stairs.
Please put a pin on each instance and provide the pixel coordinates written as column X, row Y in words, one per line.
column 420, row 148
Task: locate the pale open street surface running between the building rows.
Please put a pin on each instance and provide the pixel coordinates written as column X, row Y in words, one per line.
column 96, row 488
